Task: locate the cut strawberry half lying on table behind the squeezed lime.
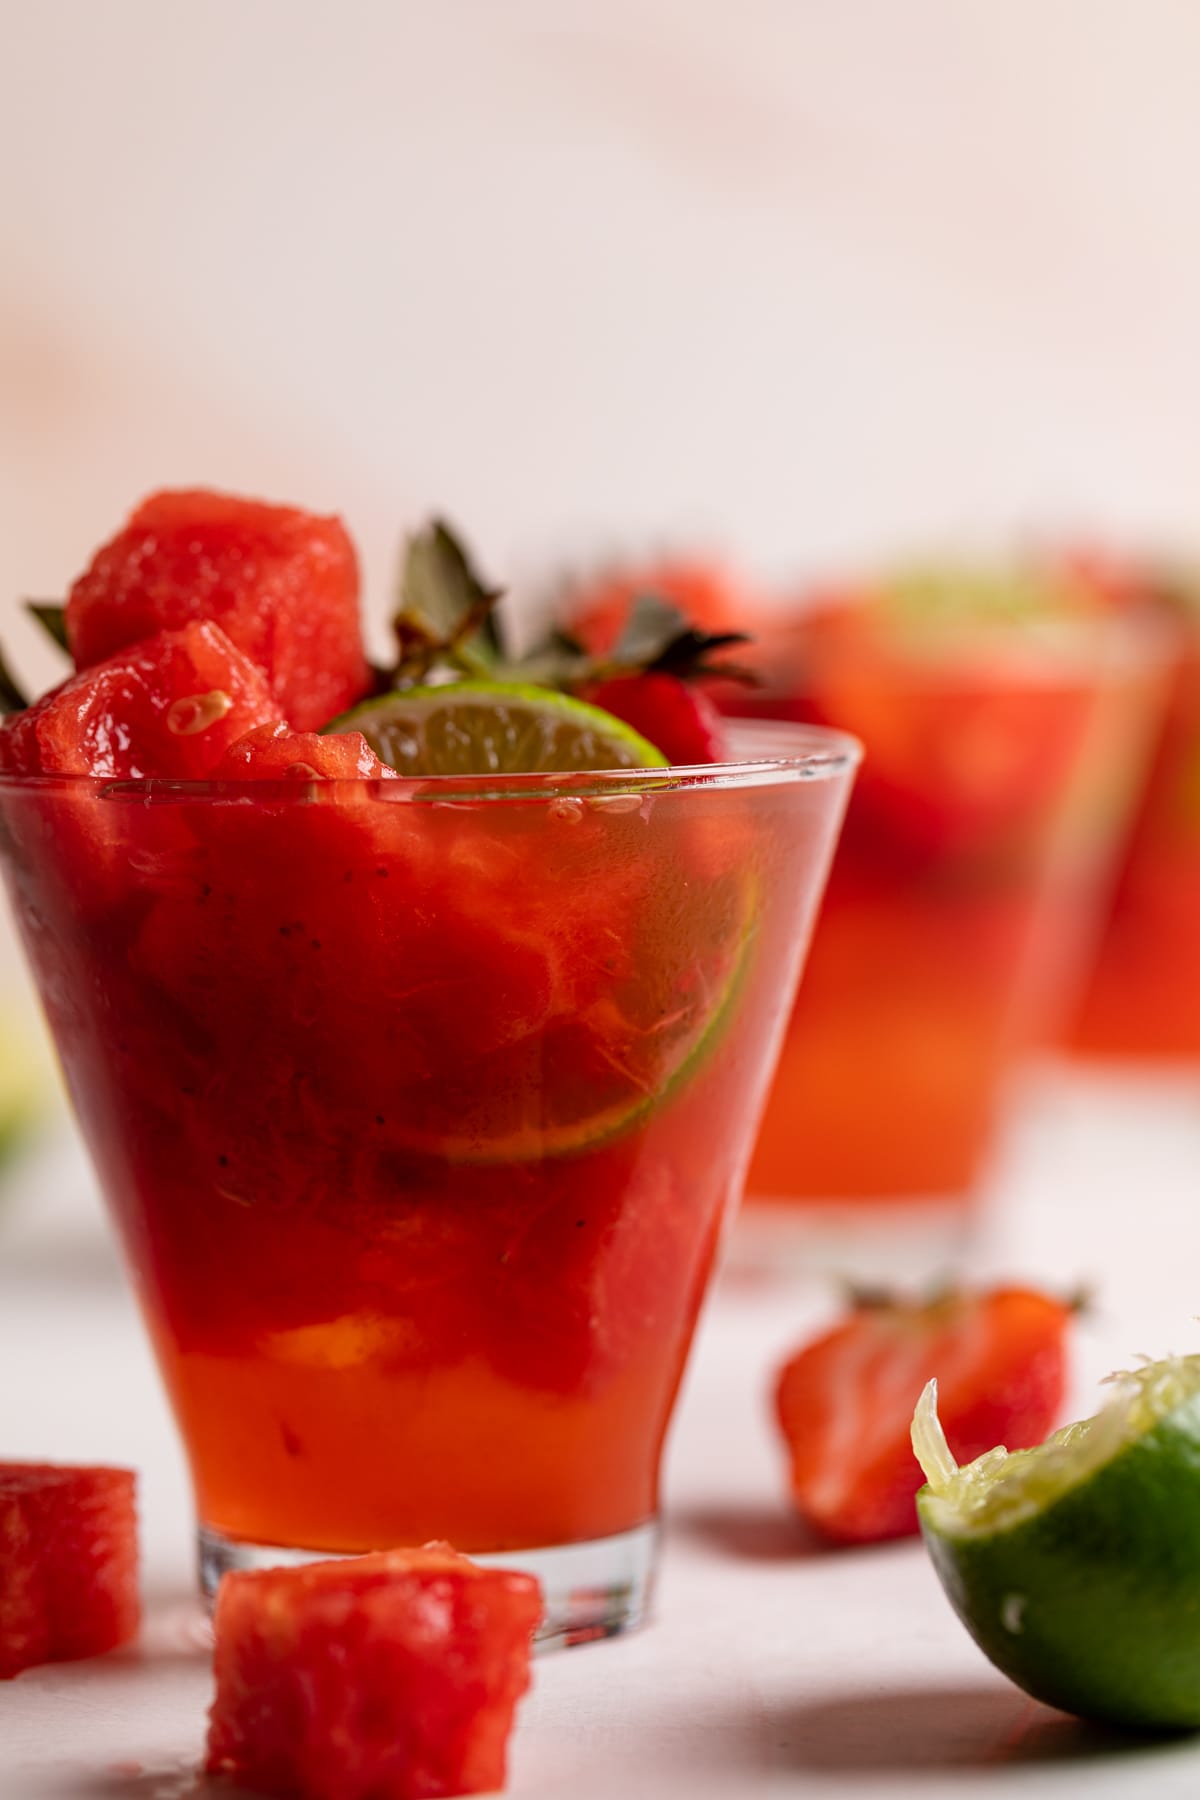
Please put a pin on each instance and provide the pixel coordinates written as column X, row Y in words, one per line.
column 846, row 1401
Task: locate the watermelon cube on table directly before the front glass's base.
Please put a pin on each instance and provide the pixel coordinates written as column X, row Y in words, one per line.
column 391, row 1677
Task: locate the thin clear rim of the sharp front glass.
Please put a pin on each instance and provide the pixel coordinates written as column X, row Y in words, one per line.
column 778, row 753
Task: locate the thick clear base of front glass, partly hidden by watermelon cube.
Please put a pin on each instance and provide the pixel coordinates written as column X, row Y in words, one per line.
column 593, row 1590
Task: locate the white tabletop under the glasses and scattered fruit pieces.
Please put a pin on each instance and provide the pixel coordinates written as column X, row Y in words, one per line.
column 773, row 1668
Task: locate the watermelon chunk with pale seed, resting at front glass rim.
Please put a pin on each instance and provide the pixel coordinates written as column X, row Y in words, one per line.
column 168, row 706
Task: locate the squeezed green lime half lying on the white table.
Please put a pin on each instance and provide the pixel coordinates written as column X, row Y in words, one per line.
column 1077, row 1565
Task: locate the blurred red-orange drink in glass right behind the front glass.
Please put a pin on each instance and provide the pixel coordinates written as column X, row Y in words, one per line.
column 1001, row 762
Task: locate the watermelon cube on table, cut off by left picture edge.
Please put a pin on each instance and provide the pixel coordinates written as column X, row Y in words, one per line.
column 67, row 1563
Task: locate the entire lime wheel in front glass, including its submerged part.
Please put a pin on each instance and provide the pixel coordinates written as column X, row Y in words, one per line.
column 580, row 964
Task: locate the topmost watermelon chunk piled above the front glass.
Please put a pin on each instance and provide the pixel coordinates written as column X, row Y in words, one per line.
column 280, row 582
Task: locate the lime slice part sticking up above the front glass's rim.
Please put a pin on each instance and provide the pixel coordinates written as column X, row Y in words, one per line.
column 494, row 728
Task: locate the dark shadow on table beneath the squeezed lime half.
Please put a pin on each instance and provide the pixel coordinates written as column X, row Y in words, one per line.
column 906, row 1732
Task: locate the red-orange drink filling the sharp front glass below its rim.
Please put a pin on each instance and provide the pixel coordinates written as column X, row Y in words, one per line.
column 420, row 1110
